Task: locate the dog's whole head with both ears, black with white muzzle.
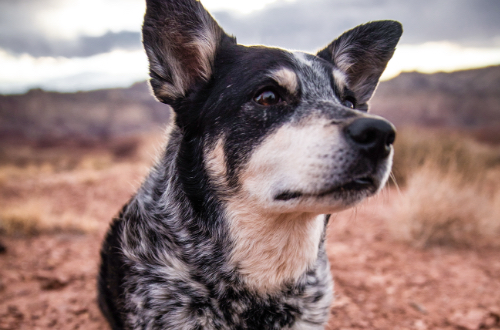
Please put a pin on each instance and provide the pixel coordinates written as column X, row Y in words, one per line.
column 281, row 131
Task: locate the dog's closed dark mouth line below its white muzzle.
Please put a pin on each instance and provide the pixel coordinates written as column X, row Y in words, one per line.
column 362, row 184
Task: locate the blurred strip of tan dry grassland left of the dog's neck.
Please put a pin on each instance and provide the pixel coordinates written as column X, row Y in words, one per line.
column 65, row 188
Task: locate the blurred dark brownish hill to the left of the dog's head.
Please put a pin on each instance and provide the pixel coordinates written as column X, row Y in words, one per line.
column 84, row 115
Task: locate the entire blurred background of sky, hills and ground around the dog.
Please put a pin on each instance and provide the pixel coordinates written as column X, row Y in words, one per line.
column 79, row 129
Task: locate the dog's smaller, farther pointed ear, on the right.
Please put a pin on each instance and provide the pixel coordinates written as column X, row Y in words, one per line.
column 362, row 54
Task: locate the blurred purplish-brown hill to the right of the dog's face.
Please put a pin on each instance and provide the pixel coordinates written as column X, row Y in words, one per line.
column 462, row 99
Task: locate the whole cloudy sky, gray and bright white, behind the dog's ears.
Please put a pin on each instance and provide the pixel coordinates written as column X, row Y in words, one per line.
column 69, row 45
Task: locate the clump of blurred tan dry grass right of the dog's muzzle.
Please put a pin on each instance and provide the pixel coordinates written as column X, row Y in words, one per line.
column 450, row 191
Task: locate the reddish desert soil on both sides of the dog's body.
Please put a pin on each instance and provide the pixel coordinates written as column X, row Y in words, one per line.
column 48, row 281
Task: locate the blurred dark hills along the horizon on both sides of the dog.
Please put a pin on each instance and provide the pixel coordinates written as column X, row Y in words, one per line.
column 464, row 99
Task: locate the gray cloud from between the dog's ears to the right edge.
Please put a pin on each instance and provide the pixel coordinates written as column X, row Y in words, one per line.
column 312, row 24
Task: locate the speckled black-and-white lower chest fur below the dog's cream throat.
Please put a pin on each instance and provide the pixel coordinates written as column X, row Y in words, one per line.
column 176, row 303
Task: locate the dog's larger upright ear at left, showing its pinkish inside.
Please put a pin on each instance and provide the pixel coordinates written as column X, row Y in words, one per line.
column 181, row 40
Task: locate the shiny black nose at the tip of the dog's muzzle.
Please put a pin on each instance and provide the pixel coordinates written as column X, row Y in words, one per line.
column 373, row 136
